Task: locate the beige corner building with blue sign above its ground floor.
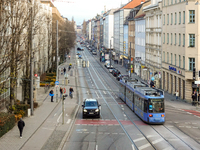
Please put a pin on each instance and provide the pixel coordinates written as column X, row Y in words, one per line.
column 180, row 47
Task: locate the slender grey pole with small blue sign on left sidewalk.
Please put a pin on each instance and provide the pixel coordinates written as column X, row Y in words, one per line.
column 56, row 59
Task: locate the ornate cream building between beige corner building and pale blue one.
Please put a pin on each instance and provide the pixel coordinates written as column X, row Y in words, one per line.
column 153, row 50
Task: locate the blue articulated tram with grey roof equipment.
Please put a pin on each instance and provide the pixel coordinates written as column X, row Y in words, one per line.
column 146, row 102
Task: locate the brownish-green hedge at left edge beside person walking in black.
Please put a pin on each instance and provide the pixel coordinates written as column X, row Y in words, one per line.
column 7, row 122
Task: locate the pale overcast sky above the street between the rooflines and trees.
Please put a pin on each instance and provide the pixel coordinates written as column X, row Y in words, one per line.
column 85, row 9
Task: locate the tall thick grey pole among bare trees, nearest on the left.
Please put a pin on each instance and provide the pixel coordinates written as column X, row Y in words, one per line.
column 31, row 64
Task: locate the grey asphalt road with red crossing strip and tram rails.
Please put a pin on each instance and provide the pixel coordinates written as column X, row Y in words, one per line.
column 118, row 127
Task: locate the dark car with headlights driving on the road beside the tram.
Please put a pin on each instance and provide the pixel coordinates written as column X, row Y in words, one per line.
column 91, row 108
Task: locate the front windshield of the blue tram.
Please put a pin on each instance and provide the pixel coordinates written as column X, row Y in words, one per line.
column 156, row 105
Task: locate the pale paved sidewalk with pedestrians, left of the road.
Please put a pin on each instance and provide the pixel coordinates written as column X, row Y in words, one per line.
column 33, row 138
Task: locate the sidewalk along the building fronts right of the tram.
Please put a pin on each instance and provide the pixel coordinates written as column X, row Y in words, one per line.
column 169, row 99
